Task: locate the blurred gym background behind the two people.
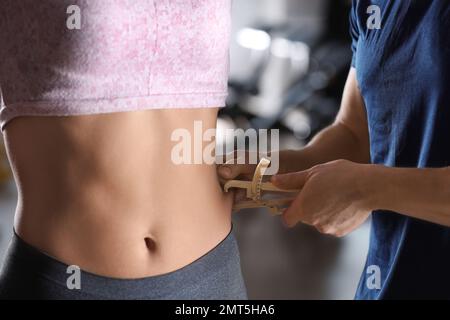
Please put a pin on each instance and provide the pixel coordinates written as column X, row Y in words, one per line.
column 289, row 61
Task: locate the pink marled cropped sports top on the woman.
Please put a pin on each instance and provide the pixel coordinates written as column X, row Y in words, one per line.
column 128, row 55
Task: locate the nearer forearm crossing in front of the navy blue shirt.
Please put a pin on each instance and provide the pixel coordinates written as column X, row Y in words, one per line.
column 419, row 193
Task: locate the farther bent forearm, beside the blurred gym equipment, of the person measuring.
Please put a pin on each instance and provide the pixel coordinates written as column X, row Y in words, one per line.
column 333, row 143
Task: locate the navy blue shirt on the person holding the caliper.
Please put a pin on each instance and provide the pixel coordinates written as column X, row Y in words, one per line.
column 403, row 70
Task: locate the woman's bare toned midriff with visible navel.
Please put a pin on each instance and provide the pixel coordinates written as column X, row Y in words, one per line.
column 102, row 192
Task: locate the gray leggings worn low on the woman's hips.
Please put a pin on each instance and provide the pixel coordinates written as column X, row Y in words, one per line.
column 28, row 273
